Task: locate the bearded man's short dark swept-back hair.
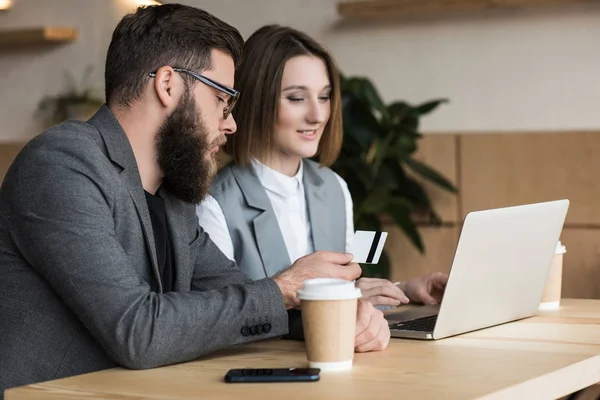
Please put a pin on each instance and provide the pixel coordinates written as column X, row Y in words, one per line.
column 156, row 36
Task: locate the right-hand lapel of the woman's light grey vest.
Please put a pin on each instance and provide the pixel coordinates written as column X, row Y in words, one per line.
column 316, row 200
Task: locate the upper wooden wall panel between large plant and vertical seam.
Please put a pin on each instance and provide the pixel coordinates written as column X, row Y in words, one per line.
column 440, row 153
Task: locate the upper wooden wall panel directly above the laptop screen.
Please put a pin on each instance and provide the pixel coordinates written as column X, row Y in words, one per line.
column 500, row 170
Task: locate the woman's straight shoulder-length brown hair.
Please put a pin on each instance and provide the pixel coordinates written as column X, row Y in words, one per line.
column 258, row 78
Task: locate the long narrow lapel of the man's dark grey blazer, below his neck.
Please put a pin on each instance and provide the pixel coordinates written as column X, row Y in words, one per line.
column 120, row 152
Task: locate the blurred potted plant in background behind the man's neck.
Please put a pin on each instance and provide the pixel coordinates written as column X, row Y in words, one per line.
column 78, row 101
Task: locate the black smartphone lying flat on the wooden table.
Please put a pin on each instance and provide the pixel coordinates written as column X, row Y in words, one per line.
column 248, row 375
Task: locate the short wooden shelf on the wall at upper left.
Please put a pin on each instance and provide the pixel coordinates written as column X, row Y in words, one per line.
column 29, row 37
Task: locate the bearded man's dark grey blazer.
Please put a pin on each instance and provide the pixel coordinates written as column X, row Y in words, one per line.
column 79, row 285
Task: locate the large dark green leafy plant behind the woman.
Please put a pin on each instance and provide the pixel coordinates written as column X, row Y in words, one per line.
column 377, row 155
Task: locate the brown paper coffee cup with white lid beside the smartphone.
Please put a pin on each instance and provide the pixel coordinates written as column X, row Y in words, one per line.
column 329, row 319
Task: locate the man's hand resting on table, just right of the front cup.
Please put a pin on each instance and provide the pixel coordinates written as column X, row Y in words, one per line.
column 372, row 330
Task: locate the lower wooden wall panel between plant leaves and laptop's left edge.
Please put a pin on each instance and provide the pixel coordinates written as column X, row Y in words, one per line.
column 407, row 262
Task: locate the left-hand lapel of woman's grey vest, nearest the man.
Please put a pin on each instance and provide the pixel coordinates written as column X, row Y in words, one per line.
column 267, row 233
